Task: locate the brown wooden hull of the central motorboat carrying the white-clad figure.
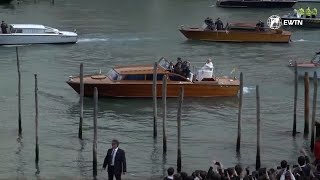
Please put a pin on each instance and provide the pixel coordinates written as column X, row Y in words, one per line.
column 145, row 90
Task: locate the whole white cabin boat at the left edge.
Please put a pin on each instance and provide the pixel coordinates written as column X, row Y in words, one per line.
column 36, row 34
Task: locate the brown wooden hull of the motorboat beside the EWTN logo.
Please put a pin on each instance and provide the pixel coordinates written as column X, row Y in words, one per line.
column 237, row 36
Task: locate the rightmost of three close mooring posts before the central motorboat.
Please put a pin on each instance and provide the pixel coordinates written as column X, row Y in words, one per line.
column 181, row 94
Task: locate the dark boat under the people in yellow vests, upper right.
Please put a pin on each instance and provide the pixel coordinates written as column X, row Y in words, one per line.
column 307, row 22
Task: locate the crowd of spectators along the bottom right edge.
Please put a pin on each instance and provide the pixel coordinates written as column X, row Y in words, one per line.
column 303, row 170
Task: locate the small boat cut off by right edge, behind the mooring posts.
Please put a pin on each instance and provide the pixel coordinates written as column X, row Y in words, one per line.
column 310, row 67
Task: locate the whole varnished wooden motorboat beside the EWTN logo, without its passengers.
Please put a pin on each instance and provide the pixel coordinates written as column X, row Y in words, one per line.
column 238, row 32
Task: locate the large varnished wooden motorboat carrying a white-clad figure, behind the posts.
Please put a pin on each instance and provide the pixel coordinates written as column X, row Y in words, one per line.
column 137, row 81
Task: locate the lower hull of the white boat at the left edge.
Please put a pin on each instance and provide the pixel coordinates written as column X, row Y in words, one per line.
column 10, row 39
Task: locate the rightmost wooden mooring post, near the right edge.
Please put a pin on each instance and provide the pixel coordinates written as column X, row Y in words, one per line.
column 315, row 94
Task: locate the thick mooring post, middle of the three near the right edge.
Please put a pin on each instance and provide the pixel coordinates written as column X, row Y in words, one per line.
column 306, row 104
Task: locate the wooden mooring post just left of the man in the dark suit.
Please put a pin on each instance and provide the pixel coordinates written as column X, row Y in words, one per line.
column 95, row 112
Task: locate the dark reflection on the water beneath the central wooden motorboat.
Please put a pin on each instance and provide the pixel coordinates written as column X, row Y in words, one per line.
column 132, row 106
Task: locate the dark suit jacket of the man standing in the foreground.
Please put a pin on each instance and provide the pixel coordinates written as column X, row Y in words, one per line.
column 119, row 161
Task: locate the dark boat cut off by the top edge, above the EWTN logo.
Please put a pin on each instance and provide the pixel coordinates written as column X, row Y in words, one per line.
column 256, row 3
